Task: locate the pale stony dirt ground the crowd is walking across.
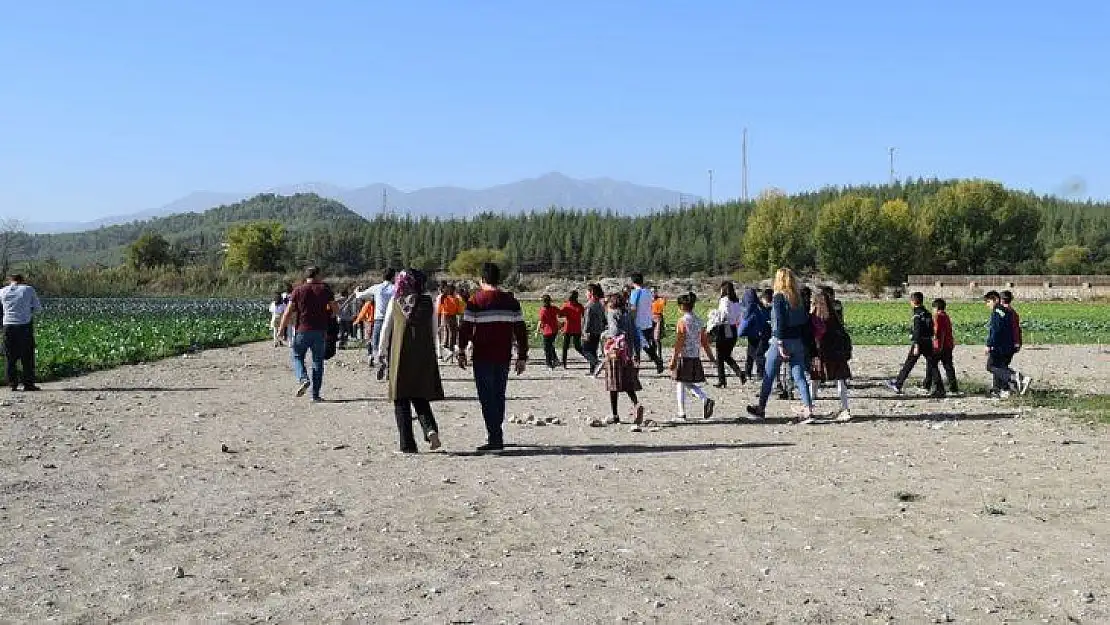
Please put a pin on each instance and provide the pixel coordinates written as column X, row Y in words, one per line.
column 280, row 511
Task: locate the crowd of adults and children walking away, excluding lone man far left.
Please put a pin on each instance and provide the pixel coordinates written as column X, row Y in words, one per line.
column 796, row 338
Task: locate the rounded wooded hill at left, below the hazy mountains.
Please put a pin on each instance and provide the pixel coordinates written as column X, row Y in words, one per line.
column 203, row 233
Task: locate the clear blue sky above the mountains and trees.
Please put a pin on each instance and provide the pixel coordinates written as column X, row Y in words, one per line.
column 115, row 107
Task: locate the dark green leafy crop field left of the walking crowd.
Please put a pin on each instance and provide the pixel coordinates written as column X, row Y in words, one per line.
column 75, row 336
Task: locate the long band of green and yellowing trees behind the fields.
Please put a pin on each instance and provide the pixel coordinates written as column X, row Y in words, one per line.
column 924, row 226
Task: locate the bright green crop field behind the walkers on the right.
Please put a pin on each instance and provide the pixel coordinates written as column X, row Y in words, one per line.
column 887, row 324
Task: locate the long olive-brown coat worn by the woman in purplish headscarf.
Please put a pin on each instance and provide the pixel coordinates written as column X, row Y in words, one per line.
column 415, row 371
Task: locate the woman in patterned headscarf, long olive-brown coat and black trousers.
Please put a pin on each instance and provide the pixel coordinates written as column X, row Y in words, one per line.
column 409, row 344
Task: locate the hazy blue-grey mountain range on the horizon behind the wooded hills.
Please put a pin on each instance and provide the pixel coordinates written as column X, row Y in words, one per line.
column 550, row 190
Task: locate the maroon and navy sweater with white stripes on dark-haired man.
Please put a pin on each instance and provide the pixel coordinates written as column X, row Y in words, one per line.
column 493, row 321
